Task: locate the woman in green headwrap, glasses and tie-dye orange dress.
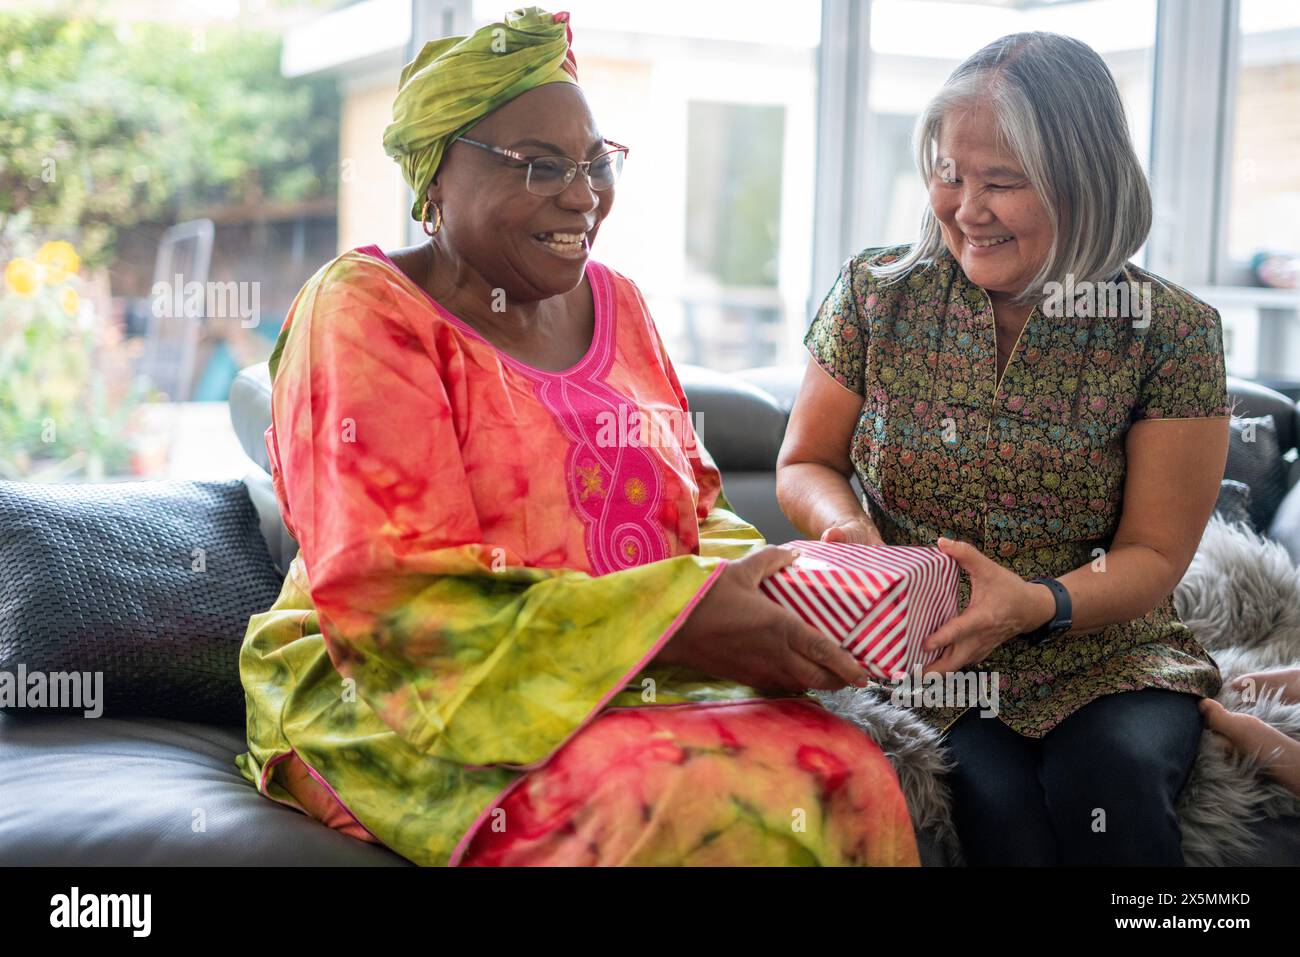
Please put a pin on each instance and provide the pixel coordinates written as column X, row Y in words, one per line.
column 517, row 633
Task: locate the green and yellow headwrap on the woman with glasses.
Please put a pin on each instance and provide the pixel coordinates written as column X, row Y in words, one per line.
column 457, row 81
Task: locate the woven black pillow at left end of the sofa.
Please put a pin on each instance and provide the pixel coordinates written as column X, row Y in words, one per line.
column 149, row 583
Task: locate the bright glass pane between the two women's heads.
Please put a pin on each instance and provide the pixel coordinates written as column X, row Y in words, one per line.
column 714, row 211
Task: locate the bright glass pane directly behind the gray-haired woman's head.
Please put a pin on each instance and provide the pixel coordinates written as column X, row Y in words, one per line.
column 916, row 45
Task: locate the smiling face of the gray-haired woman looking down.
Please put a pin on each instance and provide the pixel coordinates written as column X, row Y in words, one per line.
column 993, row 222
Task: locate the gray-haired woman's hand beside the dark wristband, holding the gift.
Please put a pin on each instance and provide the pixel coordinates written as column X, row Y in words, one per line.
column 1003, row 605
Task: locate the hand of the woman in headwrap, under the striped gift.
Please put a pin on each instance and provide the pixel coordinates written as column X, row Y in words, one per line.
column 738, row 633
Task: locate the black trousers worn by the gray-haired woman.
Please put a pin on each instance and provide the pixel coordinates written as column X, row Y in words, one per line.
column 1097, row 790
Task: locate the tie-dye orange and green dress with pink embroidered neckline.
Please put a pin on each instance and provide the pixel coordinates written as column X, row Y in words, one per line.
column 462, row 662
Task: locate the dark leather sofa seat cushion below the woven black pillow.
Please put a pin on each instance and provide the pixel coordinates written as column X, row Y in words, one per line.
column 150, row 793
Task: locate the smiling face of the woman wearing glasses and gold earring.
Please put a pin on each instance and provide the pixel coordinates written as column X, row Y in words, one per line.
column 531, row 246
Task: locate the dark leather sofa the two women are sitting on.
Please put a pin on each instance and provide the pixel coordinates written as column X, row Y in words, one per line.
column 164, row 793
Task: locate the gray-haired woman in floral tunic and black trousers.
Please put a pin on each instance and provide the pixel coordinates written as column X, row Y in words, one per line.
column 1013, row 389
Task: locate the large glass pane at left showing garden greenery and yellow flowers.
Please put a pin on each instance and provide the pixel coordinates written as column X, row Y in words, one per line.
column 166, row 189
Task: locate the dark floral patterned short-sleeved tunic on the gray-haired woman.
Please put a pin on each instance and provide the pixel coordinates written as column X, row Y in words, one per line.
column 1030, row 469
